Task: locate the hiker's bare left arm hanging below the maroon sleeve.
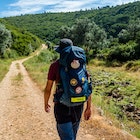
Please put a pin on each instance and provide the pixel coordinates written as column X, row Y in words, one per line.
column 47, row 93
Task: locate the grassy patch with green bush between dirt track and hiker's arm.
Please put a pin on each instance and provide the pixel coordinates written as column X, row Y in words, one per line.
column 38, row 66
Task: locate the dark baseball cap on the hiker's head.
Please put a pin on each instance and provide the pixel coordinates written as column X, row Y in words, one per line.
column 65, row 42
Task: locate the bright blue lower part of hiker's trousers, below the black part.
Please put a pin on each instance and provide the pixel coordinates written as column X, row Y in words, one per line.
column 66, row 132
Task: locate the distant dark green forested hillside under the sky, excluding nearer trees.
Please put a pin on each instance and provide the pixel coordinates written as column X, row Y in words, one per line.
column 46, row 25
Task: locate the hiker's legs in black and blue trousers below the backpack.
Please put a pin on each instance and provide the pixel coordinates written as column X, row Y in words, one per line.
column 68, row 119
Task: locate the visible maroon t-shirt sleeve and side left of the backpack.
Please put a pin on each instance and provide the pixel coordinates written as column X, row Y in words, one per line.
column 53, row 73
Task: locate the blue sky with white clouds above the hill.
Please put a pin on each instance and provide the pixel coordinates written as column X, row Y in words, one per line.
column 17, row 7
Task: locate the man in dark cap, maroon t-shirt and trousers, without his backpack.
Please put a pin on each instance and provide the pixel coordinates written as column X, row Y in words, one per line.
column 67, row 117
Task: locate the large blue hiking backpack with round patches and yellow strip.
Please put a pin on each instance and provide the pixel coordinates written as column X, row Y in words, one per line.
column 75, row 85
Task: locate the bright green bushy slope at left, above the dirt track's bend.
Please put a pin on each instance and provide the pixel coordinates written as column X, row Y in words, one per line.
column 22, row 43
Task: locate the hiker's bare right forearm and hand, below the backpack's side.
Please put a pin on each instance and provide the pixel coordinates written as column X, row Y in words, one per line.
column 87, row 113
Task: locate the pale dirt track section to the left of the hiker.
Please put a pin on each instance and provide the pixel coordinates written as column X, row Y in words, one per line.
column 21, row 108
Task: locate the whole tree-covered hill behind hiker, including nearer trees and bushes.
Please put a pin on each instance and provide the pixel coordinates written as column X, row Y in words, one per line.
column 108, row 33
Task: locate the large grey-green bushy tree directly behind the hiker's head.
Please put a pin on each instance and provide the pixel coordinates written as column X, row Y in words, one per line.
column 86, row 33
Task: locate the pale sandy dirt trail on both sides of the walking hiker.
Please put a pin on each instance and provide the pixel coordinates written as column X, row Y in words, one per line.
column 22, row 115
